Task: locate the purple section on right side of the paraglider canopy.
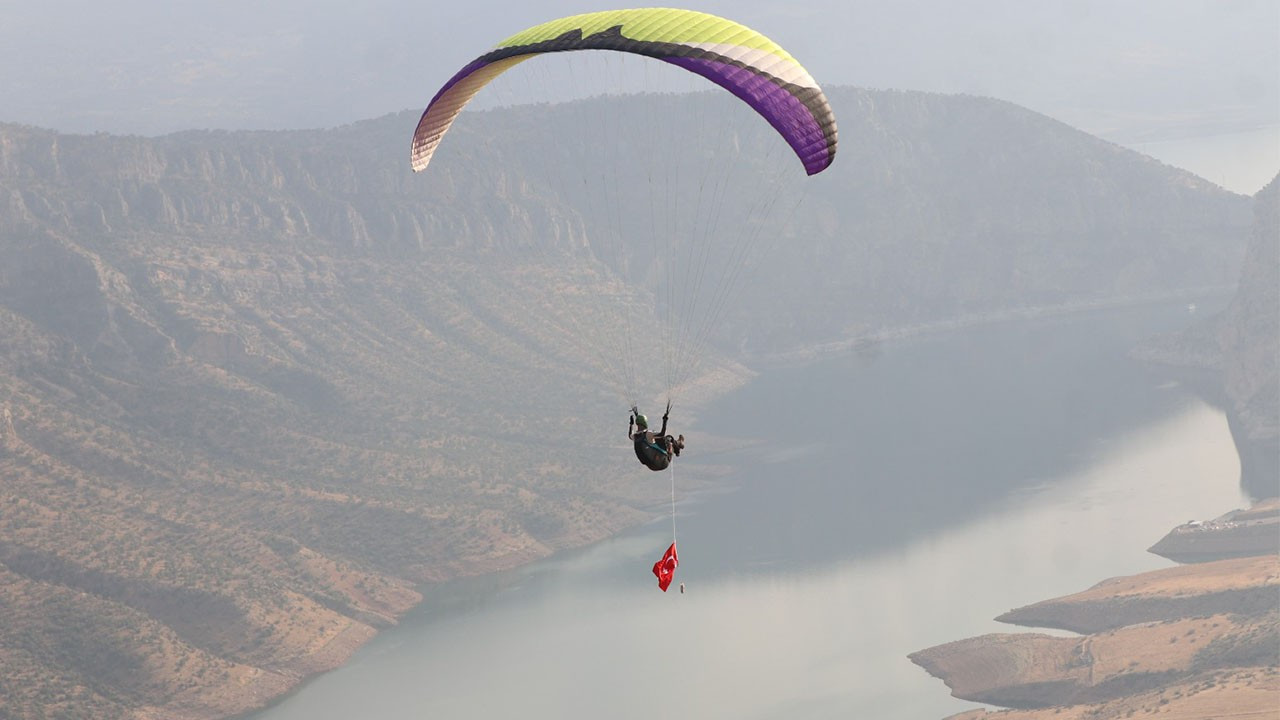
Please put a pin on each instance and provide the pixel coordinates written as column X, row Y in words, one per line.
column 785, row 112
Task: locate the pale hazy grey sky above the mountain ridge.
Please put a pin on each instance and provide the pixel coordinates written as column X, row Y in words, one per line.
column 1146, row 74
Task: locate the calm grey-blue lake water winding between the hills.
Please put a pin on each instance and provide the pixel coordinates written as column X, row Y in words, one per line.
column 903, row 500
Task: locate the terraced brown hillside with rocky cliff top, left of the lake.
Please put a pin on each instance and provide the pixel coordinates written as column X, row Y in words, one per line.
column 235, row 440
